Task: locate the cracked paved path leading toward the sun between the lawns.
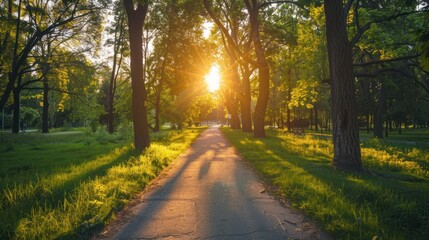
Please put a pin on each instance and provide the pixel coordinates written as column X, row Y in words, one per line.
column 210, row 193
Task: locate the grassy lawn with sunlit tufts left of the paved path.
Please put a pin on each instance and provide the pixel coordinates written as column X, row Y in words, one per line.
column 64, row 184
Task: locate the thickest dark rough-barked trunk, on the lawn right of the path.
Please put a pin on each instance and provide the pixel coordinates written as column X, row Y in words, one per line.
column 347, row 155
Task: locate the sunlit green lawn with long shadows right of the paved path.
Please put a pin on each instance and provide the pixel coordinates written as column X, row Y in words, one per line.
column 389, row 200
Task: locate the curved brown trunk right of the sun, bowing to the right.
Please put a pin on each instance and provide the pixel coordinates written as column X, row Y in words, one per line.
column 264, row 72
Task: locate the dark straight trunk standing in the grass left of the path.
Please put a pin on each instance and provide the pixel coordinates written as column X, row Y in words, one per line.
column 136, row 19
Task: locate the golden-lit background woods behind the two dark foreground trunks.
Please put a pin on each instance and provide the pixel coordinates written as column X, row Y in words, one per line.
column 67, row 64
